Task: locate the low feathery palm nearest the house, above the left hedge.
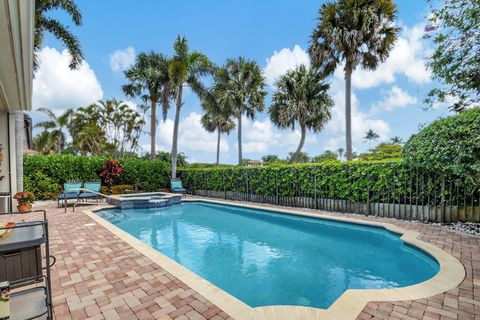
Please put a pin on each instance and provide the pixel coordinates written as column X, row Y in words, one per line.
column 54, row 136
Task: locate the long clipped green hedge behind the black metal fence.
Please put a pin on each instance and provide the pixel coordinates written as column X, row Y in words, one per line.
column 389, row 182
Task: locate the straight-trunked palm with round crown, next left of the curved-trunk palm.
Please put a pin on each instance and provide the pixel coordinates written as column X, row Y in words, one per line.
column 240, row 84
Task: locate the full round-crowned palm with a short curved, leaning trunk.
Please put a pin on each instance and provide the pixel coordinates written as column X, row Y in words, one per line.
column 301, row 98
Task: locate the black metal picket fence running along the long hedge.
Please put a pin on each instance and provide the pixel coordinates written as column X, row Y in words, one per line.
column 403, row 193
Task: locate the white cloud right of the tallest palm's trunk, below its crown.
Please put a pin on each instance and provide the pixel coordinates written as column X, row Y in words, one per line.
column 406, row 58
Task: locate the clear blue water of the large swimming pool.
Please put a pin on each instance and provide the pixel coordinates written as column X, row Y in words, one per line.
column 265, row 258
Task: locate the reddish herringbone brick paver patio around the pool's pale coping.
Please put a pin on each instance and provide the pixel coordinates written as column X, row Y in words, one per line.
column 99, row 276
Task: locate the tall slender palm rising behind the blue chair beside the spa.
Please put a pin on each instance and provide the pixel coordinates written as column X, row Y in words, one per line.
column 186, row 68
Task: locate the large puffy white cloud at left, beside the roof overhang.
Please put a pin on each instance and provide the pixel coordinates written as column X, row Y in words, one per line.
column 58, row 87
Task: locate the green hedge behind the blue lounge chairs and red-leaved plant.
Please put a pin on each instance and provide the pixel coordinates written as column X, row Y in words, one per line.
column 44, row 175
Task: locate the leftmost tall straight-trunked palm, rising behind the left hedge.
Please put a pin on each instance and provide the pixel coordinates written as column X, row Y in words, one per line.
column 148, row 79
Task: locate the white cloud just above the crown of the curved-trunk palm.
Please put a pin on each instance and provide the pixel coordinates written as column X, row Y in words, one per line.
column 281, row 62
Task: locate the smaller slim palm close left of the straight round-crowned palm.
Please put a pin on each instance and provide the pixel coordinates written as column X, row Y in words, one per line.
column 216, row 118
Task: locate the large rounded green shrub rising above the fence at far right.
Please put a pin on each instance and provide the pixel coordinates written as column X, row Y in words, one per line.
column 448, row 145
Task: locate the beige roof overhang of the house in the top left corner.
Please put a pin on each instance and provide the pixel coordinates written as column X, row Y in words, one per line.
column 16, row 54
